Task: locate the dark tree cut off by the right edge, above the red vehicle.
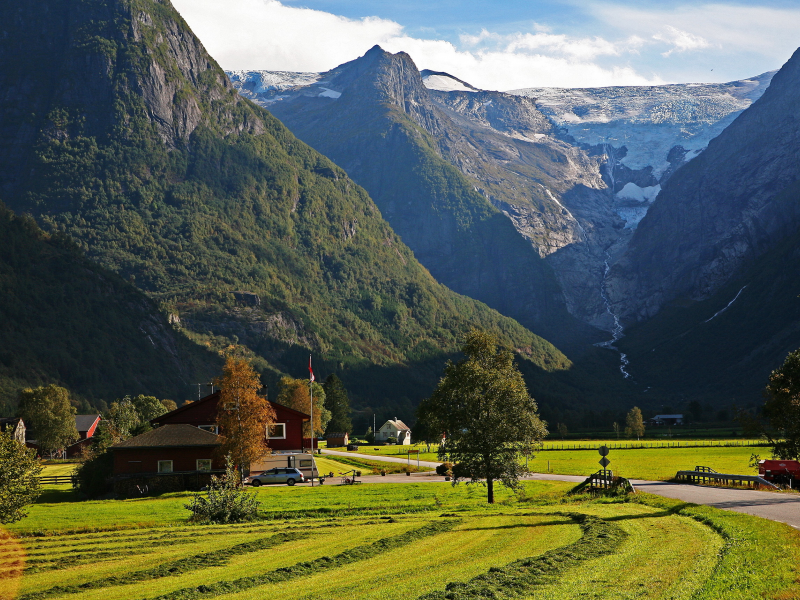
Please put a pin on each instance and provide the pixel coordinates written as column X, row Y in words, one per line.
column 782, row 407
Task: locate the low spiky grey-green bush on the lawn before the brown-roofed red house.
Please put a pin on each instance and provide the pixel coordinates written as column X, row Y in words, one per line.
column 225, row 502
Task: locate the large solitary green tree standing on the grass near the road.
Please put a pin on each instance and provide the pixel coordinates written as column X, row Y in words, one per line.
column 484, row 408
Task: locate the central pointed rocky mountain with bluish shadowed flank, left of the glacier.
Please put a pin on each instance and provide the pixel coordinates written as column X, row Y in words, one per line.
column 471, row 183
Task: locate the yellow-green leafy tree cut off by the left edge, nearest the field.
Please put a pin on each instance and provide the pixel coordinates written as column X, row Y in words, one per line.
column 19, row 478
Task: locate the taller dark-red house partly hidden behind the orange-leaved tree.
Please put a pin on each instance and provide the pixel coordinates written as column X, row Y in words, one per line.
column 285, row 435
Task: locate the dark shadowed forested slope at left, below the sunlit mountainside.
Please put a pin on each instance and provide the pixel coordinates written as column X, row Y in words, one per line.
column 66, row 320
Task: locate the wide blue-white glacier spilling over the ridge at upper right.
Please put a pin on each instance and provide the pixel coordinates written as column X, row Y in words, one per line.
column 648, row 120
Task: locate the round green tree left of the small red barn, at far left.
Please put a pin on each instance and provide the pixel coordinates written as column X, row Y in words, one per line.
column 48, row 412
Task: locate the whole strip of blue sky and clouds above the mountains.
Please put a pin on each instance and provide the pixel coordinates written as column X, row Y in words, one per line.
column 508, row 44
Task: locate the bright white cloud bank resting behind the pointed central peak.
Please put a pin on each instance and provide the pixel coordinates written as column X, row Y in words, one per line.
column 265, row 34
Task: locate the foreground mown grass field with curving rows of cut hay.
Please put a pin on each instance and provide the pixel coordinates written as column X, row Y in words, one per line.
column 427, row 541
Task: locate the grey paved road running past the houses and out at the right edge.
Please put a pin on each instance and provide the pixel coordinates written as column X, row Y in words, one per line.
column 784, row 508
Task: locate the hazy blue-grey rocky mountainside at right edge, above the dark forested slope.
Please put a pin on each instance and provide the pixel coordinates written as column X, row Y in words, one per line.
column 719, row 212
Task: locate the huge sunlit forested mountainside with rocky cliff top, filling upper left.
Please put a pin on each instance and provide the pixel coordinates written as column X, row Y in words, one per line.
column 119, row 129
